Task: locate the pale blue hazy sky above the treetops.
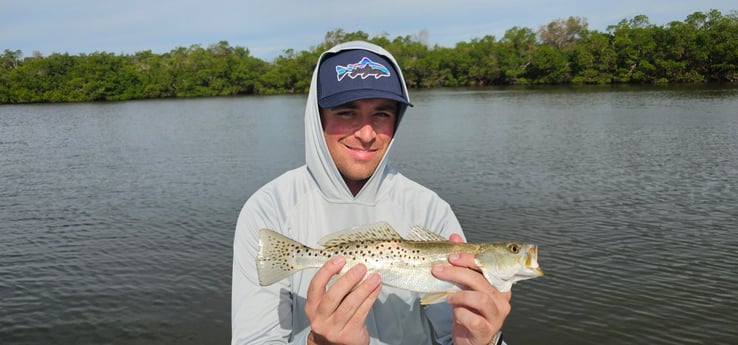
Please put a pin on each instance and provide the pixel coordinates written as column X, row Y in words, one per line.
column 269, row 27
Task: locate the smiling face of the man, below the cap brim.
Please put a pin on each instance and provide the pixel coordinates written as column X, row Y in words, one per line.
column 358, row 134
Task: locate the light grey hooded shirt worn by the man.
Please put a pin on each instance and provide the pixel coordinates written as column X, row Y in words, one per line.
column 312, row 201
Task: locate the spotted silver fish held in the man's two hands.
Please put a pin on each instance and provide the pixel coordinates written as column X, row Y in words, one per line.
column 403, row 263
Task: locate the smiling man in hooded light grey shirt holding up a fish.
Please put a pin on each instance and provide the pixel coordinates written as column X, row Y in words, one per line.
column 356, row 102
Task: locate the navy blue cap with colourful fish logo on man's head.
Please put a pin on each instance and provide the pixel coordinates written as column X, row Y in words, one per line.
column 351, row 75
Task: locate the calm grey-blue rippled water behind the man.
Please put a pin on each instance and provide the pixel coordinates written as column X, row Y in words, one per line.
column 116, row 219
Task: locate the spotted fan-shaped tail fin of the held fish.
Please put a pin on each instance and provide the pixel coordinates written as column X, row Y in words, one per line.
column 276, row 258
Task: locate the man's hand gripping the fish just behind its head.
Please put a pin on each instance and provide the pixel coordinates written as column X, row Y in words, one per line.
column 479, row 310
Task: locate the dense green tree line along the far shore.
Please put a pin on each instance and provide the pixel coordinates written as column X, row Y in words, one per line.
column 701, row 48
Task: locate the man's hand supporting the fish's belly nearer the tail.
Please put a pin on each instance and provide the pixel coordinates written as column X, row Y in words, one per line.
column 337, row 314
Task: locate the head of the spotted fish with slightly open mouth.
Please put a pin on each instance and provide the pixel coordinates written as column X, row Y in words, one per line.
column 503, row 264
